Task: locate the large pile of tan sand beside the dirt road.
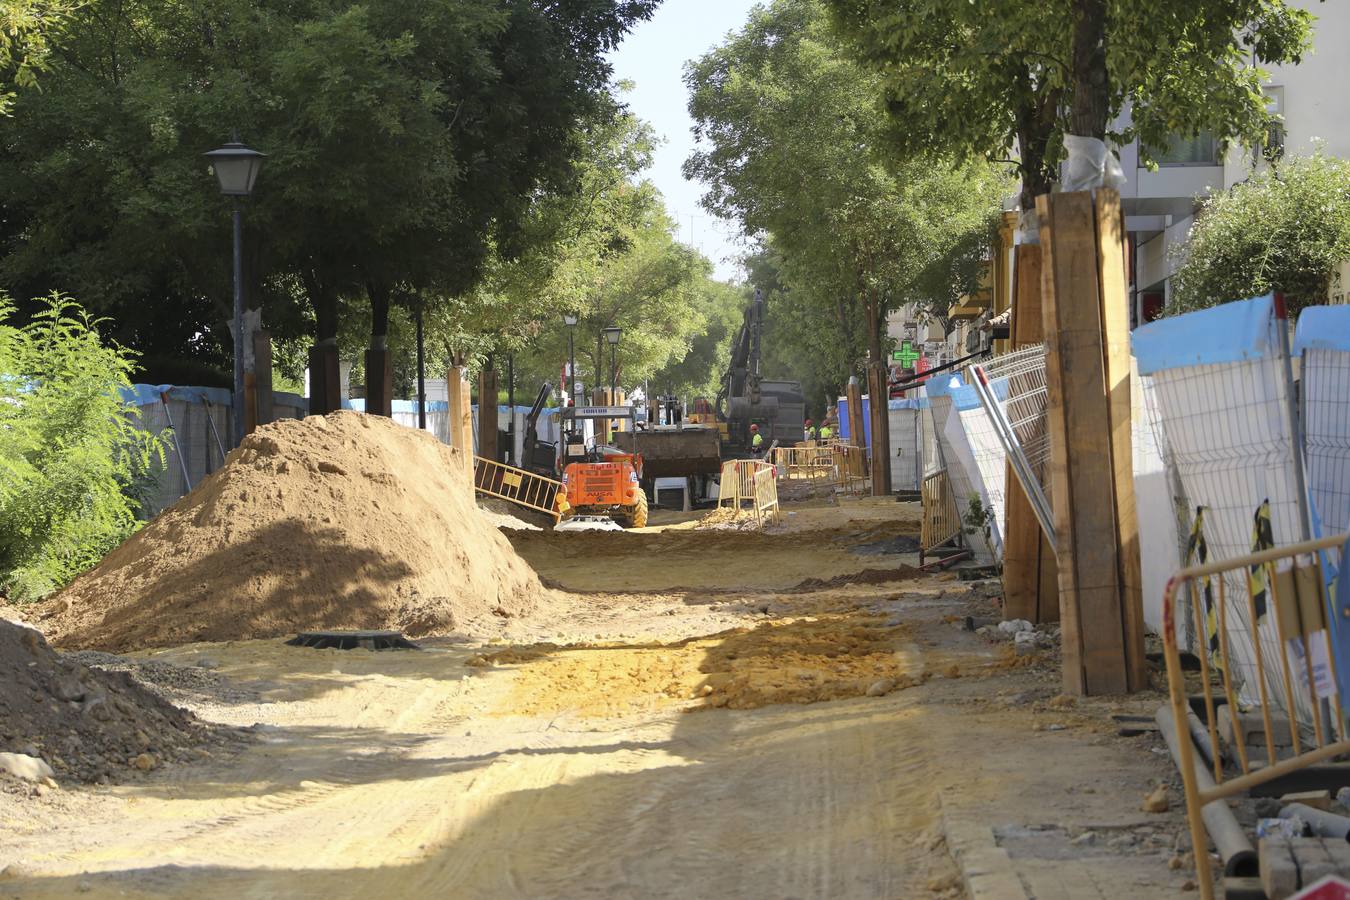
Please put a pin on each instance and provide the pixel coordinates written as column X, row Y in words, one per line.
column 345, row 522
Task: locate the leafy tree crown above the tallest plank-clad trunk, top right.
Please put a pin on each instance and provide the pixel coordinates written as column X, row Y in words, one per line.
column 988, row 80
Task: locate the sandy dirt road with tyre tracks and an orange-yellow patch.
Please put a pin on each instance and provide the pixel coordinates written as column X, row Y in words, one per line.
column 707, row 714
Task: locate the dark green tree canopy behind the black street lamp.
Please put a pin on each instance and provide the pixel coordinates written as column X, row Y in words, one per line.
column 407, row 144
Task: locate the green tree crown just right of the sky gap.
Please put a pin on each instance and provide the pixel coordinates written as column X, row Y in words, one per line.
column 793, row 145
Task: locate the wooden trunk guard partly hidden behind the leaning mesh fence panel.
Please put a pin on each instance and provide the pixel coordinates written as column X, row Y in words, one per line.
column 1031, row 588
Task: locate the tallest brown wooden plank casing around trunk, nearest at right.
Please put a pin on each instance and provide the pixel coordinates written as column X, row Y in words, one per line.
column 1085, row 472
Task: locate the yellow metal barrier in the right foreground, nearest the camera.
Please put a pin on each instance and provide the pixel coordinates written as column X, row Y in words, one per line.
column 1286, row 608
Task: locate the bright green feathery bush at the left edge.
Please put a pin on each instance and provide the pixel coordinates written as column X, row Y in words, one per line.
column 71, row 453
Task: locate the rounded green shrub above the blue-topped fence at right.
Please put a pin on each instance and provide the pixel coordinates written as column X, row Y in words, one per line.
column 1287, row 229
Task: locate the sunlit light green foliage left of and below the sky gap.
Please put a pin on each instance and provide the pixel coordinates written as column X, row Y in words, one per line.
column 605, row 252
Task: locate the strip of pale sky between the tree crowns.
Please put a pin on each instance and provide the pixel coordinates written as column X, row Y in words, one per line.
column 653, row 57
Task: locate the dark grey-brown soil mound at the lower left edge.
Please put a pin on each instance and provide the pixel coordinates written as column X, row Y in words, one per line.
column 87, row 724
